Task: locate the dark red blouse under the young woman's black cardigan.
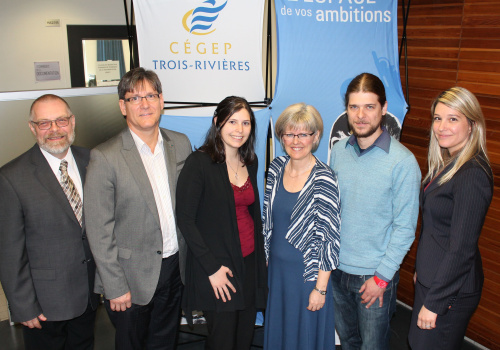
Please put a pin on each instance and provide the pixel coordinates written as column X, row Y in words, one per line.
column 243, row 197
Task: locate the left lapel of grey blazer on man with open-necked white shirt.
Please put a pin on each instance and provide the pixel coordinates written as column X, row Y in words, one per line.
column 136, row 167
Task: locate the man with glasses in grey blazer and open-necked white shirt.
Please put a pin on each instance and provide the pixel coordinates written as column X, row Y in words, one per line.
column 129, row 206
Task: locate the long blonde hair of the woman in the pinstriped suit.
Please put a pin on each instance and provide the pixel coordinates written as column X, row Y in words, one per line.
column 464, row 102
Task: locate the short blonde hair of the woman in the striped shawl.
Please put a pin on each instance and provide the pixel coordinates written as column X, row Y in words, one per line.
column 296, row 116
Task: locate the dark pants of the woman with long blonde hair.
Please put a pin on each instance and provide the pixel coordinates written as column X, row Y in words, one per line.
column 450, row 328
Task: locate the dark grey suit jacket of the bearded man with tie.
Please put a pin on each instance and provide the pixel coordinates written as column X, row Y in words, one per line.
column 45, row 261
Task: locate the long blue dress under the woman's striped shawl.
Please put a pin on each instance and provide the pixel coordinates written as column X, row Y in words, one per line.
column 288, row 323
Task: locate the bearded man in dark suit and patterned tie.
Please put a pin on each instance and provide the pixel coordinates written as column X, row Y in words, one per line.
column 46, row 267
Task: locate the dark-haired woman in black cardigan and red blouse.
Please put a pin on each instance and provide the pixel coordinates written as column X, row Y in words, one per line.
column 218, row 213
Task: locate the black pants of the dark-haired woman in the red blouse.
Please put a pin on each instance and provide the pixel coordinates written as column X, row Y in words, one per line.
column 233, row 330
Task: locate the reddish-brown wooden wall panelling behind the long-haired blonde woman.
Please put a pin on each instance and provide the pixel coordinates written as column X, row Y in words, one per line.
column 457, row 42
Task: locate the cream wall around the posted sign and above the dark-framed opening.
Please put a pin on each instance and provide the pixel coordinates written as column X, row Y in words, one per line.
column 25, row 39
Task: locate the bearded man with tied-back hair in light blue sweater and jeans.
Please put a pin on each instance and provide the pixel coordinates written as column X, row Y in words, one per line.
column 379, row 180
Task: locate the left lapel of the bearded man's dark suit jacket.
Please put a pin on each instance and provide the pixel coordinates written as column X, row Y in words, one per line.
column 48, row 180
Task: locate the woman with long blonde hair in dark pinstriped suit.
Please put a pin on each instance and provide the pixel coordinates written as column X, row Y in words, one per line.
column 455, row 197
